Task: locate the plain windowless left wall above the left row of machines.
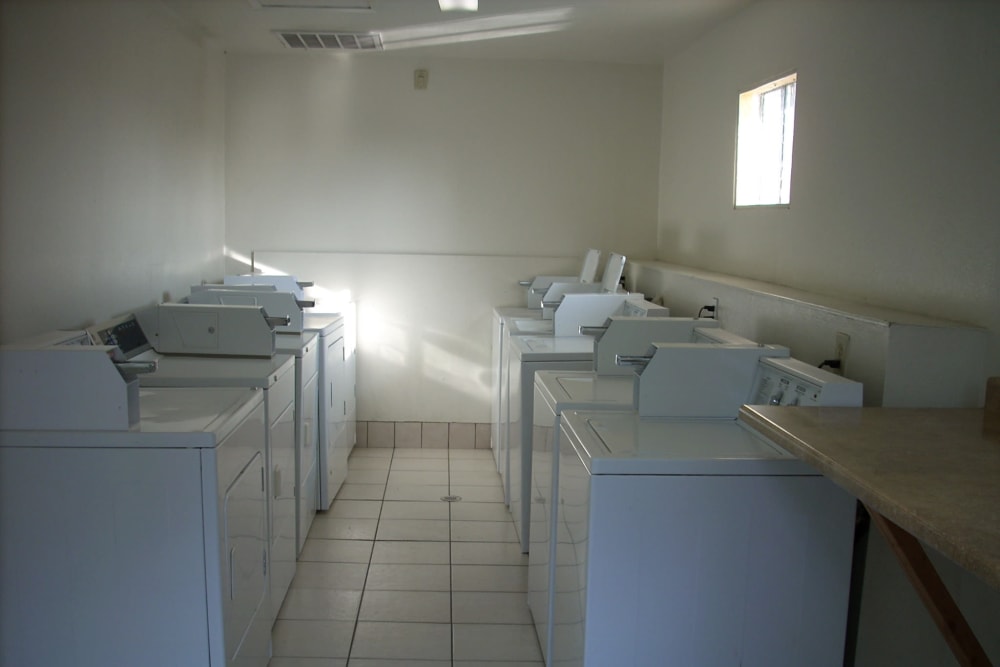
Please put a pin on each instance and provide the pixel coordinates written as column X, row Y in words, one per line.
column 111, row 174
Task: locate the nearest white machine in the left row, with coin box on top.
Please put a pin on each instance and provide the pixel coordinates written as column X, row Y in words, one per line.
column 129, row 544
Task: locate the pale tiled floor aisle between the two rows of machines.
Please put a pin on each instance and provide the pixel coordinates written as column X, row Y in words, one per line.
column 392, row 575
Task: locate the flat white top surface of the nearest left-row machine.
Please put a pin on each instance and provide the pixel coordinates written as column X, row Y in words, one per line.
column 170, row 417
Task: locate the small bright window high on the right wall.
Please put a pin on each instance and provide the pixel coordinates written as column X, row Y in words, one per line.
column 764, row 144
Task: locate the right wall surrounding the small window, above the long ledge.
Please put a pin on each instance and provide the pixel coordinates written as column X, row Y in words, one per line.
column 895, row 157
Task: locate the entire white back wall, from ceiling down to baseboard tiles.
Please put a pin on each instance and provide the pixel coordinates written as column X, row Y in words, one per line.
column 426, row 204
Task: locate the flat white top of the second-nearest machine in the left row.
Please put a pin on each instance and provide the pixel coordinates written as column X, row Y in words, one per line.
column 184, row 371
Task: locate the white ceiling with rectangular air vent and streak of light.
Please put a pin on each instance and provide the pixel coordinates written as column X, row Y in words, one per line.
column 613, row 31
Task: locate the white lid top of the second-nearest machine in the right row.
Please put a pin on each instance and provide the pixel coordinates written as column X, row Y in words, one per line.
column 580, row 390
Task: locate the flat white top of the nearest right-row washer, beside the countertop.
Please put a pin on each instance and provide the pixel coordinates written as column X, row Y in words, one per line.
column 620, row 443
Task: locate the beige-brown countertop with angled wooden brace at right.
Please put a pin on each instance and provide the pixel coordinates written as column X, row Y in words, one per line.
column 934, row 472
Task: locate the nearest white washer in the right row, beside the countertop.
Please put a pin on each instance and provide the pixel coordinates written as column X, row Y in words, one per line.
column 683, row 538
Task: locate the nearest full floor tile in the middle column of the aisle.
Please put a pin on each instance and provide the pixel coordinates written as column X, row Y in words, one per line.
column 402, row 641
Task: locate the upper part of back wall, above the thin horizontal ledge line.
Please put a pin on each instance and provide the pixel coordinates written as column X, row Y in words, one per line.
column 493, row 158
